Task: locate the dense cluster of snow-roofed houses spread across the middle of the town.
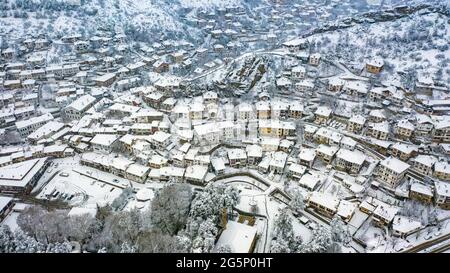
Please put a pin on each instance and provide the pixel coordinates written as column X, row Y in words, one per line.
column 121, row 108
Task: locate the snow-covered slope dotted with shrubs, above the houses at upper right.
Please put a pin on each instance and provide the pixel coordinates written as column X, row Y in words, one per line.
column 380, row 40
